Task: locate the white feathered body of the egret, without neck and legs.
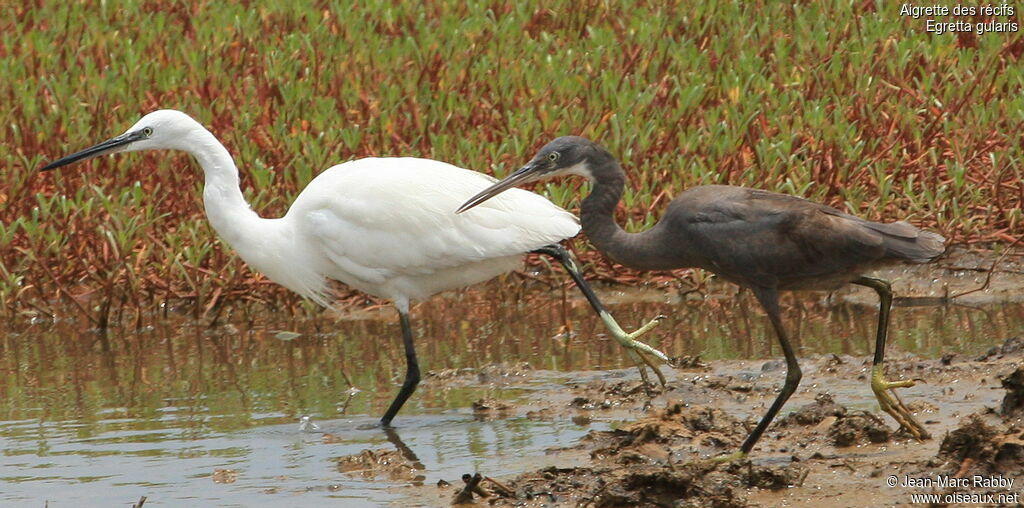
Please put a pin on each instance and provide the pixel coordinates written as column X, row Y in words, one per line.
column 388, row 227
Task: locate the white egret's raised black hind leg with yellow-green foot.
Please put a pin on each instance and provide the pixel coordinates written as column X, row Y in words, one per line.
column 628, row 341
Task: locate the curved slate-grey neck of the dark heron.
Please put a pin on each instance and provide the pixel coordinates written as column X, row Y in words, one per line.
column 641, row 250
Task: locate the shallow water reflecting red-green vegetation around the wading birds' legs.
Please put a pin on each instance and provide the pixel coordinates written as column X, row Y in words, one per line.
column 102, row 419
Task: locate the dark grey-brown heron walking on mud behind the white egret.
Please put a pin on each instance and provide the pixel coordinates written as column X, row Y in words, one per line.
column 764, row 241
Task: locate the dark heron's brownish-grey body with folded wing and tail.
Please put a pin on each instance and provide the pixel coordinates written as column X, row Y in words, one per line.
column 773, row 240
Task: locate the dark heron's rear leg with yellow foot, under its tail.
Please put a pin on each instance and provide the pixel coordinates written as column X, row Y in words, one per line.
column 883, row 390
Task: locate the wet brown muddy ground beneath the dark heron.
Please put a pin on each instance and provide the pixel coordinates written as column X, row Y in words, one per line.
column 830, row 447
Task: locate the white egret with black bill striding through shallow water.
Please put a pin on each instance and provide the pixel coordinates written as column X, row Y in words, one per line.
column 383, row 226
